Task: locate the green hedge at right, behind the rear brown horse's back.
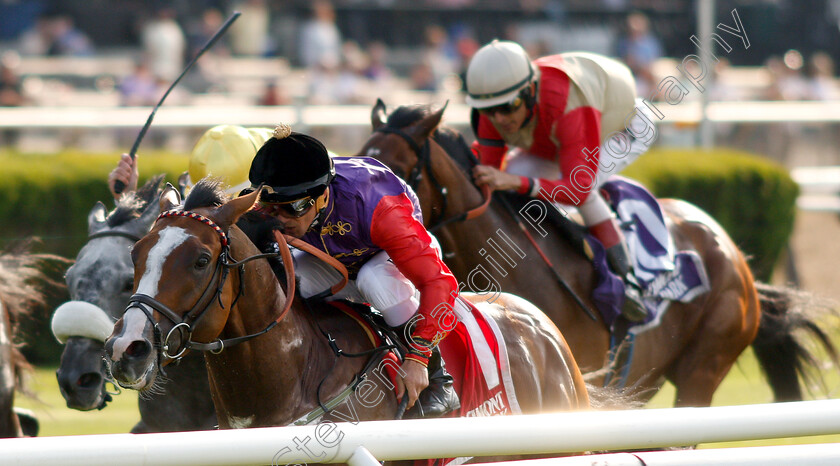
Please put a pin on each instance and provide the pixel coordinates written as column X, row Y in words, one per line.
column 753, row 199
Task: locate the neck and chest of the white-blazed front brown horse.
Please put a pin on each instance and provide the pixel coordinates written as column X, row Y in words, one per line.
column 270, row 379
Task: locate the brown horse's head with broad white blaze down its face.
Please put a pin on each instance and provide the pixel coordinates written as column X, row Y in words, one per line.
column 181, row 294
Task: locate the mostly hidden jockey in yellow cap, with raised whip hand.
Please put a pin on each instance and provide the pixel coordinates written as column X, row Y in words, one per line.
column 224, row 151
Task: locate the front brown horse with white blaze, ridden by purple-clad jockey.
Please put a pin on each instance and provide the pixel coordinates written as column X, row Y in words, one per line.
column 266, row 370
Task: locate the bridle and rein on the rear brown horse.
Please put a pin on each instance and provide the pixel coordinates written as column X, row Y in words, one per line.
column 424, row 162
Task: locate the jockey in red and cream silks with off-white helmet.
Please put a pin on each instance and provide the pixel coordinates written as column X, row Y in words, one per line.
column 556, row 113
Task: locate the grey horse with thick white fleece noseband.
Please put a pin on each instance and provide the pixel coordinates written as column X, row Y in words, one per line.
column 100, row 283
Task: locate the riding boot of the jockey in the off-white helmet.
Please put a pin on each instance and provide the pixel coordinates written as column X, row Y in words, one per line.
column 618, row 258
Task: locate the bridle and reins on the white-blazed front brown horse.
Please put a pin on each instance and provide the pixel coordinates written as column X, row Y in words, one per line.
column 224, row 263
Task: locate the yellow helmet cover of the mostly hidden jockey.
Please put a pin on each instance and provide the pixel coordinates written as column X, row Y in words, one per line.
column 226, row 151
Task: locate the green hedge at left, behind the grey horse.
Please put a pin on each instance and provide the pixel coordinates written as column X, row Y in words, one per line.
column 50, row 196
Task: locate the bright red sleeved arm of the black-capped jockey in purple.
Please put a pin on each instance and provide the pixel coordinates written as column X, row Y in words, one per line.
column 405, row 239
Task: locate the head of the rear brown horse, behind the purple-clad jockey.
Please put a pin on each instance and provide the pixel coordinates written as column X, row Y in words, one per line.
column 400, row 140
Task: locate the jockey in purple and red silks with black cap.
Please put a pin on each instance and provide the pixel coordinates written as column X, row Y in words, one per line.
column 358, row 211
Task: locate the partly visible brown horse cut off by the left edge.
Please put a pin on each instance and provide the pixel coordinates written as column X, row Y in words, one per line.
column 21, row 283
